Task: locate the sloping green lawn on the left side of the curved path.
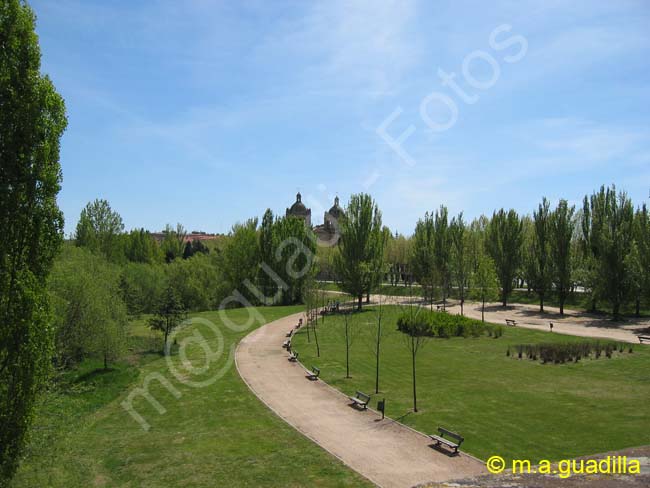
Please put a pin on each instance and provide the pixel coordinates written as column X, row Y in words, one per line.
column 218, row 435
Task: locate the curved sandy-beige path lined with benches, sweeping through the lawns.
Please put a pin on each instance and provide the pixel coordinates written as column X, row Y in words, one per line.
column 386, row 452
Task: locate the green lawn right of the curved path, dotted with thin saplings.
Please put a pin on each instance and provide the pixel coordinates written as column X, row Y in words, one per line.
column 514, row 408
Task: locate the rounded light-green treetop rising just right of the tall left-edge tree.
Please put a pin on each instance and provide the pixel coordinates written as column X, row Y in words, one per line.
column 99, row 229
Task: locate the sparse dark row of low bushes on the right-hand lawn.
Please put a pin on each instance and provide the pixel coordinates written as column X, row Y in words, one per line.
column 560, row 353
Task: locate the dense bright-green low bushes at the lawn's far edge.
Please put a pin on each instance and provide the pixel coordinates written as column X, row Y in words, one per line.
column 443, row 325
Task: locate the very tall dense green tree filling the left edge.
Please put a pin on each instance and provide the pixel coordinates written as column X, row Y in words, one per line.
column 32, row 120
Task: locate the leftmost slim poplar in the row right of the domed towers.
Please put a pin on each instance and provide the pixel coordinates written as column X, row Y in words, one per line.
column 423, row 255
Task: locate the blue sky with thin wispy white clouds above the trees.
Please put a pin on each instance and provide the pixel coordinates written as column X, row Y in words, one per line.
column 208, row 112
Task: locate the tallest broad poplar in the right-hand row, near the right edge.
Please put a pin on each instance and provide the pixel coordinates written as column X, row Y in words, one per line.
column 608, row 223
